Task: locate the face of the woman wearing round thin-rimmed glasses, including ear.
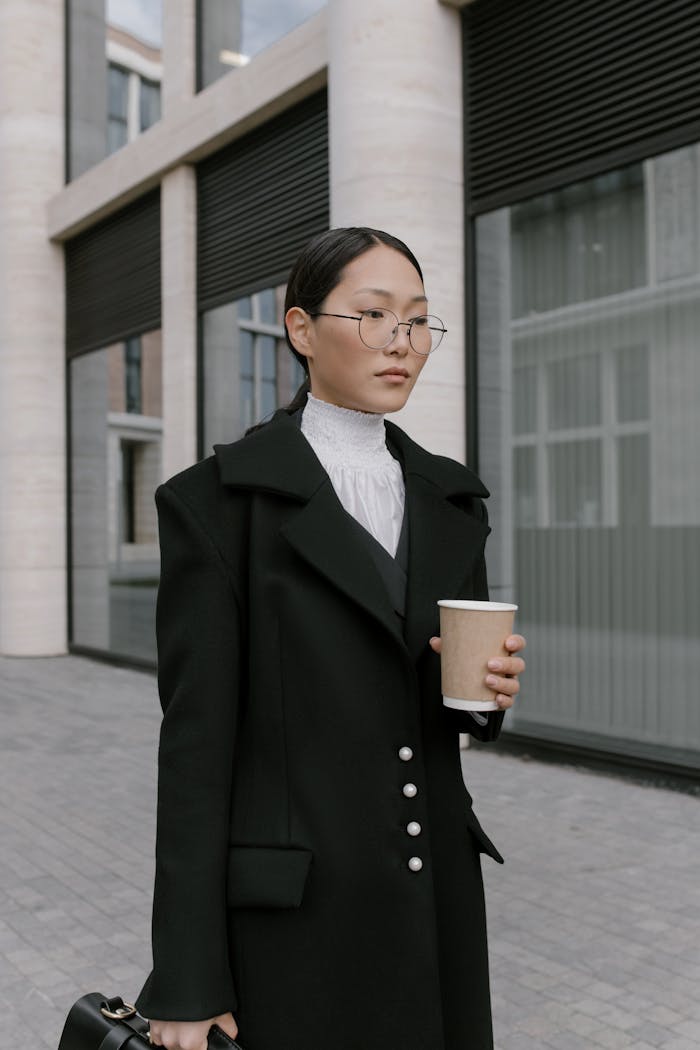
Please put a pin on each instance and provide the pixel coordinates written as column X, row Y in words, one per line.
column 343, row 370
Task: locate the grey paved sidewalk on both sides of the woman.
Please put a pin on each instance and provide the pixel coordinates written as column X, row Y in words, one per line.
column 595, row 920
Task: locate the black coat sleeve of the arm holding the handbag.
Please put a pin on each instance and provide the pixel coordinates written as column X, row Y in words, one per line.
column 198, row 628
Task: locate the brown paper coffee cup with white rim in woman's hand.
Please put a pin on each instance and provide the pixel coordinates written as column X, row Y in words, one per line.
column 473, row 634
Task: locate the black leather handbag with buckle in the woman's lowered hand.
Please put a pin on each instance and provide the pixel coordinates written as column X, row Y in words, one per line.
column 98, row 1023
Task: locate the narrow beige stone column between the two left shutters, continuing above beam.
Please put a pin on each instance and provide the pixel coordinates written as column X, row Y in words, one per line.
column 179, row 255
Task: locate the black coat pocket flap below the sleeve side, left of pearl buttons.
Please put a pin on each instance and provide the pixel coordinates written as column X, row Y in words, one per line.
column 267, row 877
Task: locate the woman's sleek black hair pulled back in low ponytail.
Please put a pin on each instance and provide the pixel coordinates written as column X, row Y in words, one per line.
column 317, row 271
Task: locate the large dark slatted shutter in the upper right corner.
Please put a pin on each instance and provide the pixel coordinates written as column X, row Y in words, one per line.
column 558, row 91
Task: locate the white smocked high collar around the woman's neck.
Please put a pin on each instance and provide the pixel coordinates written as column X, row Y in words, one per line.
column 346, row 437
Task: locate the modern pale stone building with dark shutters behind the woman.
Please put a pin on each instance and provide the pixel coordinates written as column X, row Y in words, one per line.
column 161, row 165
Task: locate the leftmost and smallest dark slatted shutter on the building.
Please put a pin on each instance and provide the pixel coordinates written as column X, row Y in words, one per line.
column 114, row 278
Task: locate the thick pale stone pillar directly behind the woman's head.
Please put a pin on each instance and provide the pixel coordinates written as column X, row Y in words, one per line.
column 395, row 82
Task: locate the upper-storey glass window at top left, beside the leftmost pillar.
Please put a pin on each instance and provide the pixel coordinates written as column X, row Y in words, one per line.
column 114, row 73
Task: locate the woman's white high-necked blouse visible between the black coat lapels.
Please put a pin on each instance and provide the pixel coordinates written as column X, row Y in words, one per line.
column 368, row 479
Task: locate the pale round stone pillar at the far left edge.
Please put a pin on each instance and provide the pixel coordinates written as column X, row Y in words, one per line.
column 33, row 468
